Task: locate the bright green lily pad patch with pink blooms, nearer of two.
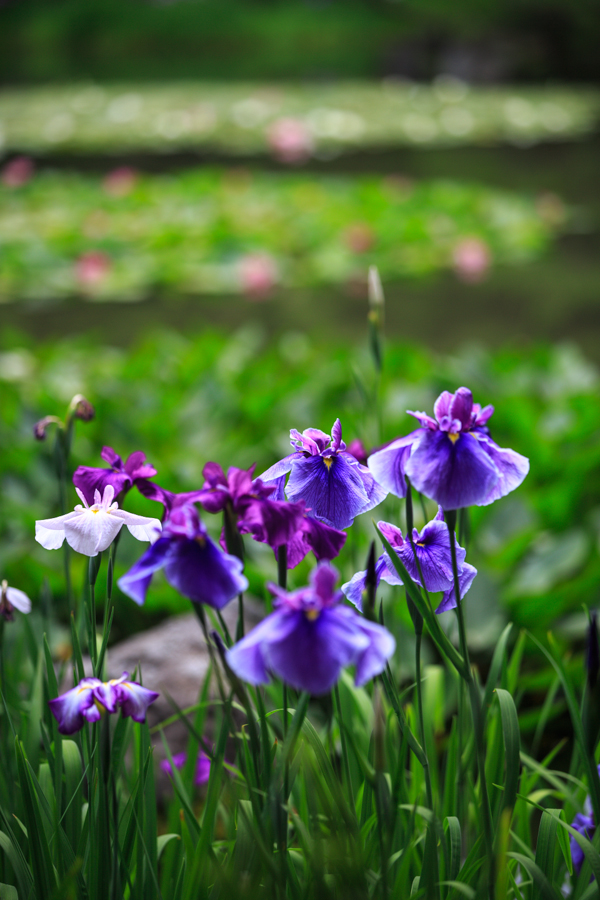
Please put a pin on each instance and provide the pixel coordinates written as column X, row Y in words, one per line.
column 194, row 233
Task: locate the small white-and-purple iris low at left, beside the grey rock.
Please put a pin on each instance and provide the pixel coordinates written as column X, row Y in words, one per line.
column 91, row 697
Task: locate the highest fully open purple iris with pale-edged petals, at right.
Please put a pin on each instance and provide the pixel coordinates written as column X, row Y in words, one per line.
column 451, row 458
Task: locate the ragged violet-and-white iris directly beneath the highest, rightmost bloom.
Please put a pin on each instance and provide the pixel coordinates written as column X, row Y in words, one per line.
column 432, row 546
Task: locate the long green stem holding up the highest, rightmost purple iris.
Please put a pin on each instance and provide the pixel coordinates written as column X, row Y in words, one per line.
column 475, row 700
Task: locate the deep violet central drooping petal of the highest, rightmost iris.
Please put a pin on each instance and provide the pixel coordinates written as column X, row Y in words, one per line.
column 454, row 473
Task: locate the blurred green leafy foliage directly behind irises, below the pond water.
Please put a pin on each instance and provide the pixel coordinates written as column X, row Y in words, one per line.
column 185, row 400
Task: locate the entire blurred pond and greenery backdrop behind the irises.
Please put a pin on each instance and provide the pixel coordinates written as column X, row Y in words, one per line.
column 191, row 193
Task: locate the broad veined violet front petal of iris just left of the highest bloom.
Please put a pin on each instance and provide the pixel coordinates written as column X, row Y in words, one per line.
column 331, row 487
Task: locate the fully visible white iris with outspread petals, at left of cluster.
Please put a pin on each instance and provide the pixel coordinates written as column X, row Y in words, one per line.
column 91, row 529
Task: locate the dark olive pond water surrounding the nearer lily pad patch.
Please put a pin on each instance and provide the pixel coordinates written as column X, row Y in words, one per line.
column 555, row 298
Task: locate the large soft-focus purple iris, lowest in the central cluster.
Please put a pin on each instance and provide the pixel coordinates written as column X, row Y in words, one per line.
column 310, row 637
